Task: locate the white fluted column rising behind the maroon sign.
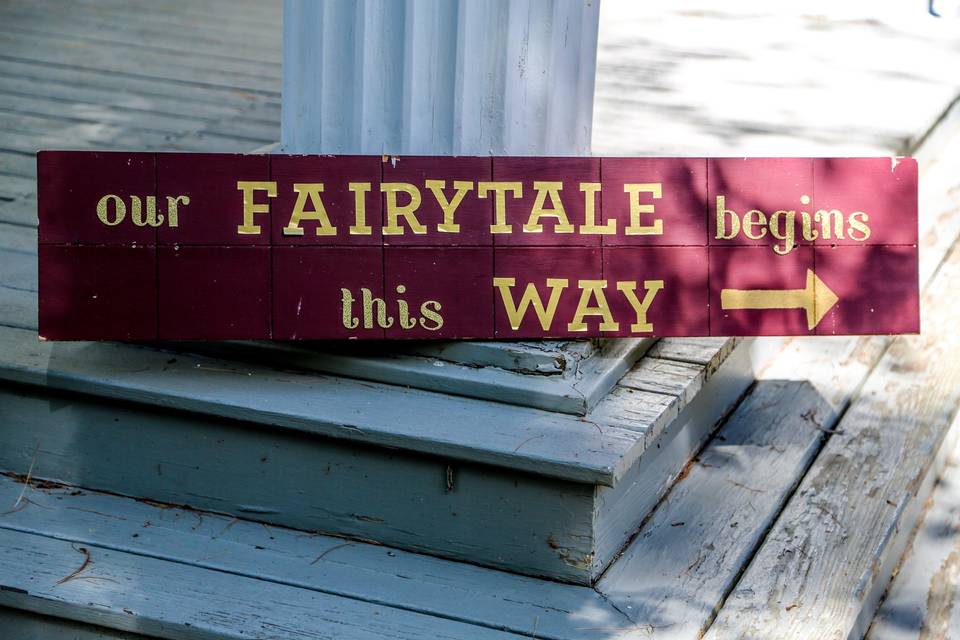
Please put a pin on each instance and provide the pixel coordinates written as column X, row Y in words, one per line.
column 439, row 77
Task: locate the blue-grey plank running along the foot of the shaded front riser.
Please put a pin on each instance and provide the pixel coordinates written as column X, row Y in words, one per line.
column 319, row 563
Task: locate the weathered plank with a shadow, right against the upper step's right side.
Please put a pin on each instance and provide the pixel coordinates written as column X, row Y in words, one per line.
column 686, row 556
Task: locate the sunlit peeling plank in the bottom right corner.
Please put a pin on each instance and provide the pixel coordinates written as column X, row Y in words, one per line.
column 921, row 603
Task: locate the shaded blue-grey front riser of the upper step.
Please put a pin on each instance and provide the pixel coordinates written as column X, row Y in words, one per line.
column 490, row 516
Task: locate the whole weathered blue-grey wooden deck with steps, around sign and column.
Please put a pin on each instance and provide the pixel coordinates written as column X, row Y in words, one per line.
column 789, row 524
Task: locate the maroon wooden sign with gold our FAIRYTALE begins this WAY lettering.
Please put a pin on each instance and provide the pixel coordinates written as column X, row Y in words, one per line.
column 144, row 246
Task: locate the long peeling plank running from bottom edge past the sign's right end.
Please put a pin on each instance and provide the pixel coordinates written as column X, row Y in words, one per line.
column 828, row 559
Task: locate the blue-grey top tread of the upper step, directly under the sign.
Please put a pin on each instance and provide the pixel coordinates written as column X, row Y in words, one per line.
column 595, row 448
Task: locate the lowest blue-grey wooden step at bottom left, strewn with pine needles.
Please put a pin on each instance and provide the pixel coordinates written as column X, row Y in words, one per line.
column 198, row 574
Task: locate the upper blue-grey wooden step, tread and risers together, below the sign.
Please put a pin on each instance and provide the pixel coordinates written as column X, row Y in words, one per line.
column 488, row 466
